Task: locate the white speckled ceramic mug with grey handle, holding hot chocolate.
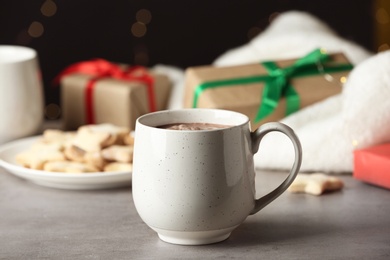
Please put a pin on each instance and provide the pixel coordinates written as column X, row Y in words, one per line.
column 195, row 187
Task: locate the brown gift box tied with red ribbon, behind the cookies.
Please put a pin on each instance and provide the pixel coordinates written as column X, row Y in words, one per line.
column 98, row 91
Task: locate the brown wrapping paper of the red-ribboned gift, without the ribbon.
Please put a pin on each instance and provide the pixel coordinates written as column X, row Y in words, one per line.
column 115, row 101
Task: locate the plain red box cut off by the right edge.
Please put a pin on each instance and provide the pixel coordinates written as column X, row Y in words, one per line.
column 372, row 165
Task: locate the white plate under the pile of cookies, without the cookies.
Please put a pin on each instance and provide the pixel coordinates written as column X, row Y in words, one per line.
column 74, row 181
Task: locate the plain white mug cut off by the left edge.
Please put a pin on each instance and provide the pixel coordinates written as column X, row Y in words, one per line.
column 21, row 93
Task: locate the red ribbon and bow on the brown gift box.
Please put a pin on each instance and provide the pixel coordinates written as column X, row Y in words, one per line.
column 99, row 69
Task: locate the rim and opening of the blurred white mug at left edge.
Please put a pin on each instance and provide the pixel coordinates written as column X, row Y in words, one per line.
column 23, row 54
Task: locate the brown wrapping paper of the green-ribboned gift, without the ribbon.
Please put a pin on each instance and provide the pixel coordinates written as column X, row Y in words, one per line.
column 246, row 98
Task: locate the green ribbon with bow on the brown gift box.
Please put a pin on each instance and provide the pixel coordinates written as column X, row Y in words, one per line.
column 277, row 82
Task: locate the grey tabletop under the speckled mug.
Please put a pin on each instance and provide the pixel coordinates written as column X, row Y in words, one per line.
column 45, row 223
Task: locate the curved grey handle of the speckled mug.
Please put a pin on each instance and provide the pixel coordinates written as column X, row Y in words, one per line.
column 256, row 137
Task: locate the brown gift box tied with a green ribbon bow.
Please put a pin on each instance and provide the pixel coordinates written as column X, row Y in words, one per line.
column 269, row 90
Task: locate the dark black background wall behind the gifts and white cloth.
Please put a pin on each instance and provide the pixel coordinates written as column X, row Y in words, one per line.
column 180, row 33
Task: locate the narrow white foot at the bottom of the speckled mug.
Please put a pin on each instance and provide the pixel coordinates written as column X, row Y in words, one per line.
column 193, row 237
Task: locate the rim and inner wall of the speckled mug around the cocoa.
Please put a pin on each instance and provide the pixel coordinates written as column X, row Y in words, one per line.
column 241, row 117
